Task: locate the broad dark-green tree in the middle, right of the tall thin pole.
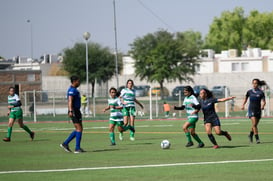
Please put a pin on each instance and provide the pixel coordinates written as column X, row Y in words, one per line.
column 162, row 56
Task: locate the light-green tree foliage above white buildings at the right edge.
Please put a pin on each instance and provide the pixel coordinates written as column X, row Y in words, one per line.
column 234, row 30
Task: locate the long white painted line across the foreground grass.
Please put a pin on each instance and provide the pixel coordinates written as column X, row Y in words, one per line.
column 133, row 166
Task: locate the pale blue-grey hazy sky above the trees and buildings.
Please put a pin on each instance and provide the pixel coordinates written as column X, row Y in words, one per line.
column 50, row 26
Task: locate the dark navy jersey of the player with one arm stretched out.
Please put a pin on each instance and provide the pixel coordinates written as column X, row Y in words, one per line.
column 208, row 109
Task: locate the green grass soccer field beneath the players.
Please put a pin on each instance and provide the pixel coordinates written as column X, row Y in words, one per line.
column 142, row 159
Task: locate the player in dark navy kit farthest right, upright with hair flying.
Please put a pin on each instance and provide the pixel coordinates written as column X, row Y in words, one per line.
column 256, row 105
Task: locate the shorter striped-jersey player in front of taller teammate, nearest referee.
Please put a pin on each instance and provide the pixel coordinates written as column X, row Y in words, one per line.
column 116, row 117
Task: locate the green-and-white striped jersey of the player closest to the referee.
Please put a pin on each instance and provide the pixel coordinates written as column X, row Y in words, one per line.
column 115, row 114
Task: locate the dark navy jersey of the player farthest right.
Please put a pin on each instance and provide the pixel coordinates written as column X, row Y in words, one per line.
column 255, row 96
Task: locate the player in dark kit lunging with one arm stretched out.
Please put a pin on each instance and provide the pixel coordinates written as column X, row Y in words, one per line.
column 211, row 119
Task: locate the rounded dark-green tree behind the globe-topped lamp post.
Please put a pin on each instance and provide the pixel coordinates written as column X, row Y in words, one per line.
column 101, row 64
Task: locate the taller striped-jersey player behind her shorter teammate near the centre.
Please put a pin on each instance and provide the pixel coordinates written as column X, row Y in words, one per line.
column 128, row 99
